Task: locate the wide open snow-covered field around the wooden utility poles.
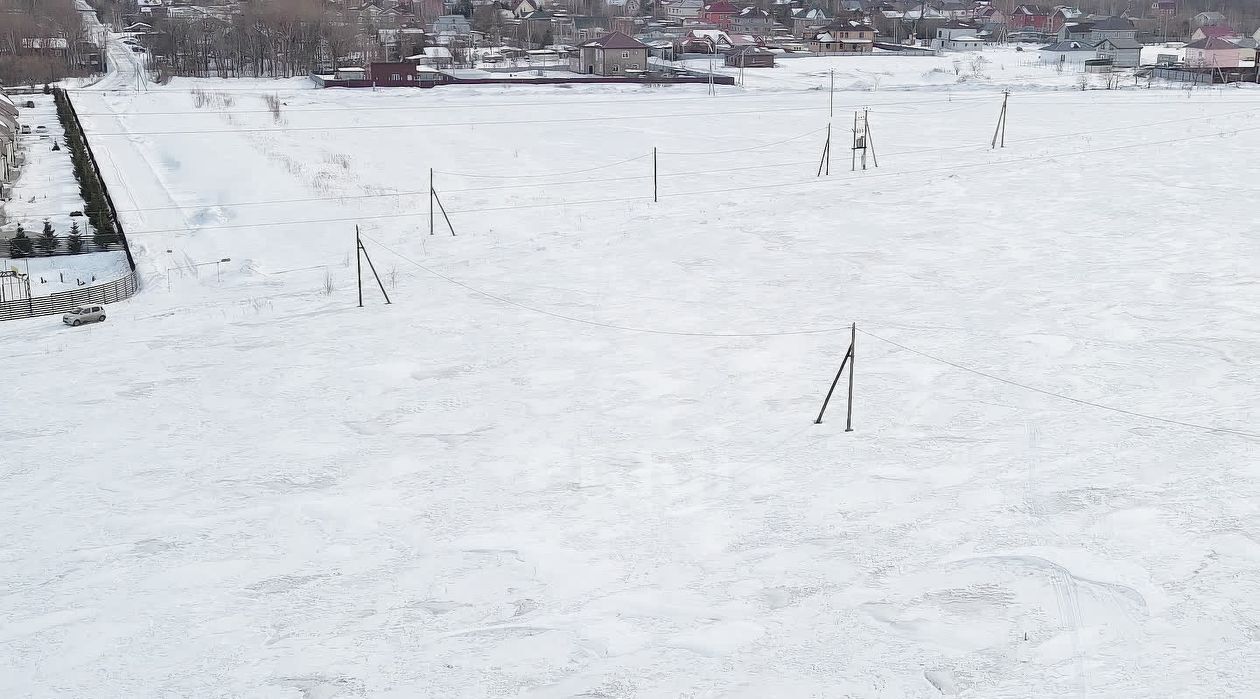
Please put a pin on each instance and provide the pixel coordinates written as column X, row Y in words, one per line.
column 576, row 455
